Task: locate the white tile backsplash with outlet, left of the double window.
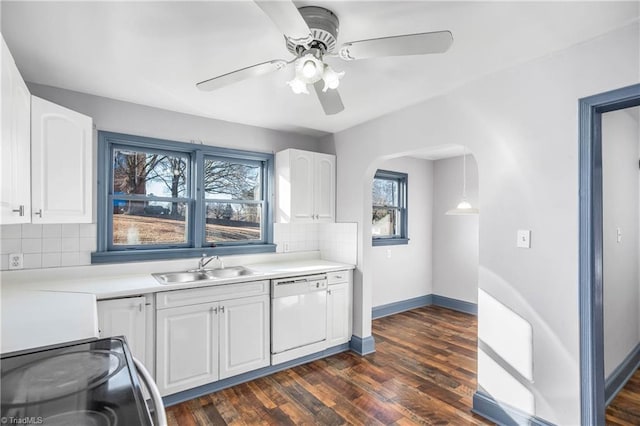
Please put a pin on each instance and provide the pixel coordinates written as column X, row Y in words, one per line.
column 48, row 246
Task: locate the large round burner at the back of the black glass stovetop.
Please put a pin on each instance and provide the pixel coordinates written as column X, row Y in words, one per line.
column 58, row 376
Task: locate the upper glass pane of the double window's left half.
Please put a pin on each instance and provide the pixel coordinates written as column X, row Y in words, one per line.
column 145, row 173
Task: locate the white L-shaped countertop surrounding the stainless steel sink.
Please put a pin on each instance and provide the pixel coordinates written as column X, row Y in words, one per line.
column 47, row 306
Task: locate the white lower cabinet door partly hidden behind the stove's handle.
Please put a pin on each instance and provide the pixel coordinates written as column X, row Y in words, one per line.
column 125, row 317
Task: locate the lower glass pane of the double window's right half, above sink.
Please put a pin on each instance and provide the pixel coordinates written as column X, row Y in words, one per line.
column 233, row 222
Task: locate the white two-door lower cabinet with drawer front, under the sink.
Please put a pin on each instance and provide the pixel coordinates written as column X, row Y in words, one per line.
column 204, row 342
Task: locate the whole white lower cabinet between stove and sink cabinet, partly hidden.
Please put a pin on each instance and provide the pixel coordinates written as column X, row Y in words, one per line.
column 131, row 317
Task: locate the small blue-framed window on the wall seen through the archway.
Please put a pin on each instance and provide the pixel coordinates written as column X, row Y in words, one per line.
column 389, row 213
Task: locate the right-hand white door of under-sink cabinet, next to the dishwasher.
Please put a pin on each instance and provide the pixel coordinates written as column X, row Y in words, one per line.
column 244, row 335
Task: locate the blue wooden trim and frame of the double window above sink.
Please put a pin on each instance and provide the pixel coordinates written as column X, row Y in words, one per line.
column 196, row 235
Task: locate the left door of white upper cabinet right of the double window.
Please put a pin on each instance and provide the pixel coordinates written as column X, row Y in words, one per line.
column 302, row 189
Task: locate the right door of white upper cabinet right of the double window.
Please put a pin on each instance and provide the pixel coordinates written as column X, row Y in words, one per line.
column 324, row 187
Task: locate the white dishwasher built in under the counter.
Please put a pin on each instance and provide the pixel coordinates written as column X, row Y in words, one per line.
column 298, row 317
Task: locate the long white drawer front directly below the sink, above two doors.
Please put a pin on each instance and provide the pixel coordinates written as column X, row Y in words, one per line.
column 194, row 296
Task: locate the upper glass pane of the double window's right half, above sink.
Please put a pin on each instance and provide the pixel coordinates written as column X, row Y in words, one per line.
column 226, row 180
